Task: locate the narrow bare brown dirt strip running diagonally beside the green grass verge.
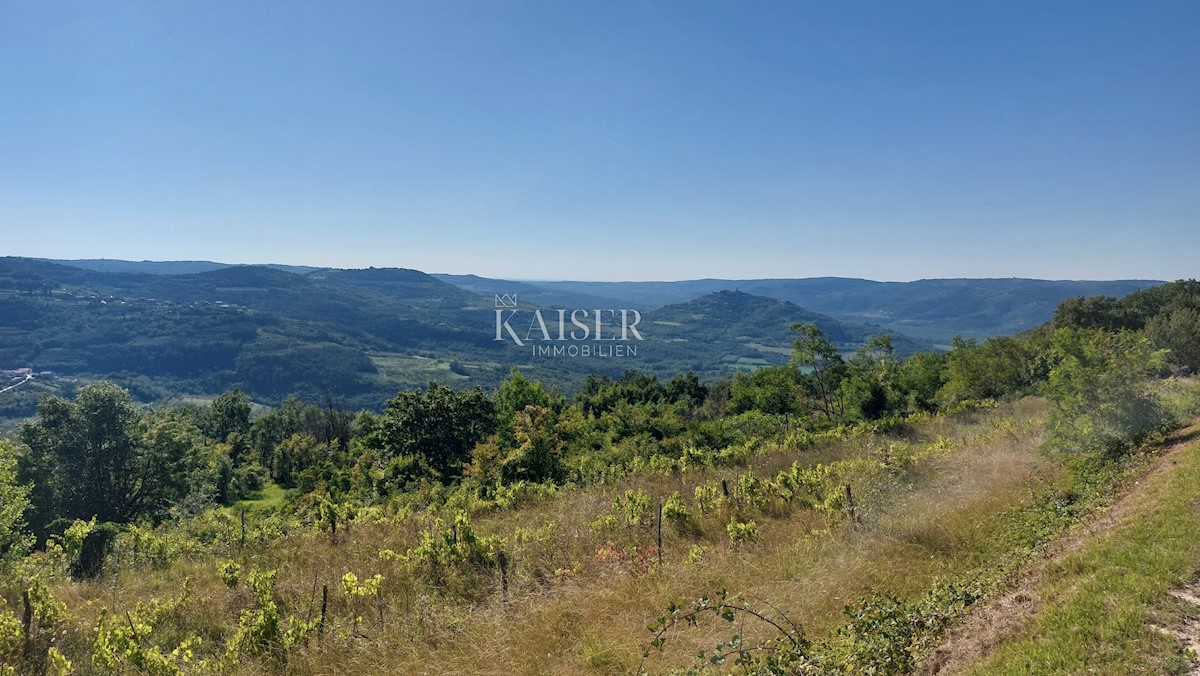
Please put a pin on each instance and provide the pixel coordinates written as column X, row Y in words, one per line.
column 992, row 623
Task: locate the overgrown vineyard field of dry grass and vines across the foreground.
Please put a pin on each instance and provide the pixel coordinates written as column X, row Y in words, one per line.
column 946, row 513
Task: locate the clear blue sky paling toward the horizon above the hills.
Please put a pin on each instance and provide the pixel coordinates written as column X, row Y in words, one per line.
column 609, row 141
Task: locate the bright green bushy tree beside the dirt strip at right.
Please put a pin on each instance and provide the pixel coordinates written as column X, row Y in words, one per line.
column 1102, row 393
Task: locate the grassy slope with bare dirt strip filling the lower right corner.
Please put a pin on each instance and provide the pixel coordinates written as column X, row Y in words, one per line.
column 1115, row 597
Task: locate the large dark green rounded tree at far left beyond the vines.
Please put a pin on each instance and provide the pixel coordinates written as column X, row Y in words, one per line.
column 97, row 457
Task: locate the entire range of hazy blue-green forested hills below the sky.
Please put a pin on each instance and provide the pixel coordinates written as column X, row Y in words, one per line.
column 362, row 336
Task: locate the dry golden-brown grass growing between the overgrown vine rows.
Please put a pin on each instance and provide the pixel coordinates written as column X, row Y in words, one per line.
column 572, row 613
